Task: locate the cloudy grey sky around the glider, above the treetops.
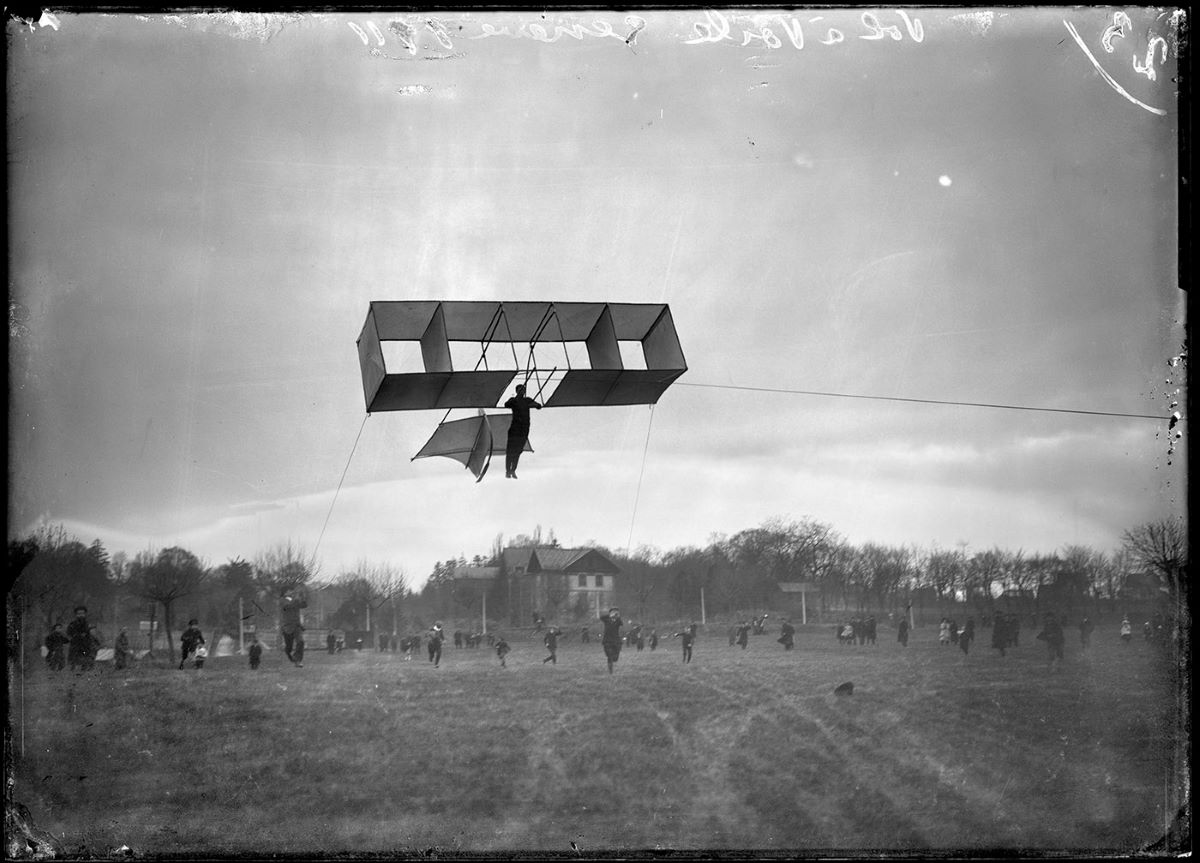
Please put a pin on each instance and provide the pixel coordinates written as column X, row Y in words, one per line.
column 953, row 206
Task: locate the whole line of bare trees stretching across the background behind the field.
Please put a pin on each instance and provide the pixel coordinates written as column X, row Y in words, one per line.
column 52, row 572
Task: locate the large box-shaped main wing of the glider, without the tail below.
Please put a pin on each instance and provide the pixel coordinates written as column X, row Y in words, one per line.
column 602, row 327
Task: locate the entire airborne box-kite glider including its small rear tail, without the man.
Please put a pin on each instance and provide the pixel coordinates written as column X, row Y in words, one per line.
column 556, row 337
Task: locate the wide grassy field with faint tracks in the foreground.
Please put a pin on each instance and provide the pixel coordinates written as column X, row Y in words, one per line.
column 741, row 751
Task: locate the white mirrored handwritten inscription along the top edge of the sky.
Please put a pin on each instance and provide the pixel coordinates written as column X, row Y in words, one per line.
column 770, row 32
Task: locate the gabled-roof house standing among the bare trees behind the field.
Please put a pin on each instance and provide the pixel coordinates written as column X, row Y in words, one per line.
column 559, row 584
